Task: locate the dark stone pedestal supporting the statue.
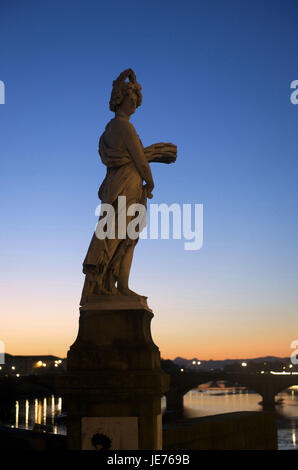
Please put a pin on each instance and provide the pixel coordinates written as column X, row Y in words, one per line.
column 114, row 384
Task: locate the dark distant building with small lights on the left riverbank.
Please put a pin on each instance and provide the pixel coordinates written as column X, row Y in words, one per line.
column 28, row 365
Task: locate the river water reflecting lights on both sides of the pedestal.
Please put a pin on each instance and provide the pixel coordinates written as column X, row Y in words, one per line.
column 25, row 413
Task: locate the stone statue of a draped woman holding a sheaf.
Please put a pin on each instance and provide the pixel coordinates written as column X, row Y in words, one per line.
column 108, row 261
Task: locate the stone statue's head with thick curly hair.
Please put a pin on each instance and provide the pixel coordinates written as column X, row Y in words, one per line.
column 126, row 93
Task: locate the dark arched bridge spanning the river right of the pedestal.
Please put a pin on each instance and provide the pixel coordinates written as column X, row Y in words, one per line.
column 267, row 384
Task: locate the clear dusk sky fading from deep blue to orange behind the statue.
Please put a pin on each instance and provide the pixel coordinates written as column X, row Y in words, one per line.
column 215, row 79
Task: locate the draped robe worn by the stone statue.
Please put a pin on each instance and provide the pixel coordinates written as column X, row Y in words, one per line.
column 119, row 146
